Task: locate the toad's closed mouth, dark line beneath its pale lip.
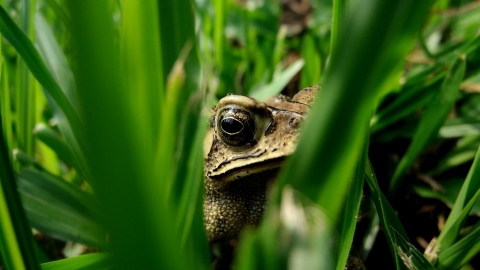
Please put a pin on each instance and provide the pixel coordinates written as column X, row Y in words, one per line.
column 249, row 169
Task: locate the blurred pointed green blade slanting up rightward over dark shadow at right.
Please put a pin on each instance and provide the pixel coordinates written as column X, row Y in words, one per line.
column 432, row 119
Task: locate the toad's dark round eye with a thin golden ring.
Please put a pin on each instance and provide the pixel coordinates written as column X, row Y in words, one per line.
column 236, row 127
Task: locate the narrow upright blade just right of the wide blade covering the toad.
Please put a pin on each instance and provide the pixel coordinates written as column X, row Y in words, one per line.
column 348, row 219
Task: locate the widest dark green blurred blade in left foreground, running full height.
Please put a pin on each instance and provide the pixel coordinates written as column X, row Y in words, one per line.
column 119, row 135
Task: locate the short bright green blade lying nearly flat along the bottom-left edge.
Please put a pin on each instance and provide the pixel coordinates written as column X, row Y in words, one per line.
column 88, row 261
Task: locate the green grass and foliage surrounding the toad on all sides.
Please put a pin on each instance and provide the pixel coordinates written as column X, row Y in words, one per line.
column 103, row 108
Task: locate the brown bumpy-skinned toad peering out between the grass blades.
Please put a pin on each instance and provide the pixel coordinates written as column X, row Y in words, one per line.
column 240, row 167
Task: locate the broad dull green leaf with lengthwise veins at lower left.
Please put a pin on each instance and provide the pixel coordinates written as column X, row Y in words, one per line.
column 59, row 209
